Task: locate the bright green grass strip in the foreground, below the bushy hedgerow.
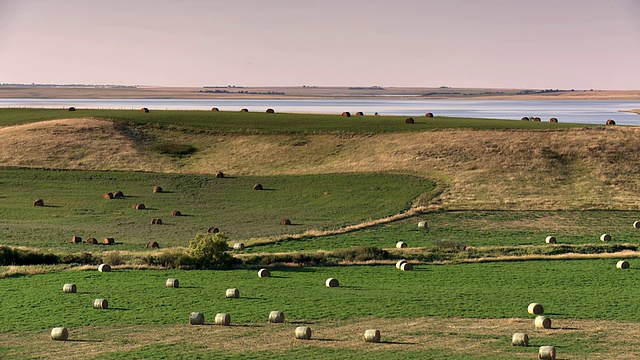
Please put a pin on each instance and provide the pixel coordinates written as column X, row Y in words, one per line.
column 575, row 289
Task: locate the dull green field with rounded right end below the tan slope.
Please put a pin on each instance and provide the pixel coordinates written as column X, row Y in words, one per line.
column 74, row 205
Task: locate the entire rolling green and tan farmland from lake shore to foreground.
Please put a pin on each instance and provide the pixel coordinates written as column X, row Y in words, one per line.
column 486, row 188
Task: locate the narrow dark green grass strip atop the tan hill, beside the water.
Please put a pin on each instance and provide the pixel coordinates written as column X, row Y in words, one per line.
column 261, row 123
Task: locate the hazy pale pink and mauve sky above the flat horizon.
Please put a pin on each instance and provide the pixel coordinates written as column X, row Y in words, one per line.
column 563, row 44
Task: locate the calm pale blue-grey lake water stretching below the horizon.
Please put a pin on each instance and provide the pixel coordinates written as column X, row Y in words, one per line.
column 576, row 111
